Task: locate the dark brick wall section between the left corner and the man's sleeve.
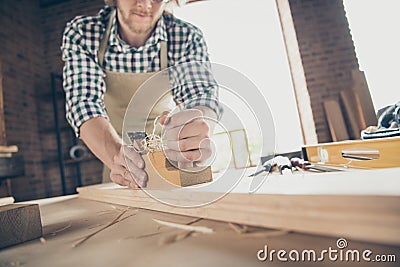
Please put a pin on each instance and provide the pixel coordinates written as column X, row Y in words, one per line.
column 54, row 17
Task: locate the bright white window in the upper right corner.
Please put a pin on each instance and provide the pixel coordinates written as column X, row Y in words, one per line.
column 375, row 29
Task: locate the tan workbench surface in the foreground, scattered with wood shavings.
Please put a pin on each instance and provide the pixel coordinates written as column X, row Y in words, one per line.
column 137, row 240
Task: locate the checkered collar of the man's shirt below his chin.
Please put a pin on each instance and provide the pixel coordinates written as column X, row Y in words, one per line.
column 159, row 34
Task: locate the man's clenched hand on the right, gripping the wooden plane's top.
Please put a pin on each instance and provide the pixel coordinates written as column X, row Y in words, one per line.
column 186, row 136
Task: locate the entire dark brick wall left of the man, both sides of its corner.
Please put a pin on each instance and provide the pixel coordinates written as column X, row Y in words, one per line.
column 30, row 38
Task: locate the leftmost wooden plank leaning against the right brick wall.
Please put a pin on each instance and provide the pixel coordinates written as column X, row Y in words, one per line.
column 335, row 119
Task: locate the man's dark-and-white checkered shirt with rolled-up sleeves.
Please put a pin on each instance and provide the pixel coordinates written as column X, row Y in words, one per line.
column 84, row 83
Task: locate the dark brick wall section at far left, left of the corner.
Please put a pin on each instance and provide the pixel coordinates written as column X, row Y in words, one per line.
column 21, row 54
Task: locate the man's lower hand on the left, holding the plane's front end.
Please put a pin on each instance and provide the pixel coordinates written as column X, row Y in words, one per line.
column 127, row 168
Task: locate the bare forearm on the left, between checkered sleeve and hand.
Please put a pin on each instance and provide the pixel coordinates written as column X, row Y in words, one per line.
column 101, row 138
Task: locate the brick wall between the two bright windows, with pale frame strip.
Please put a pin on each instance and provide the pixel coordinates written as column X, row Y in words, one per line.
column 326, row 59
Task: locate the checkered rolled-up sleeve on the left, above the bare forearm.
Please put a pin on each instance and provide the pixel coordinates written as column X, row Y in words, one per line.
column 83, row 80
